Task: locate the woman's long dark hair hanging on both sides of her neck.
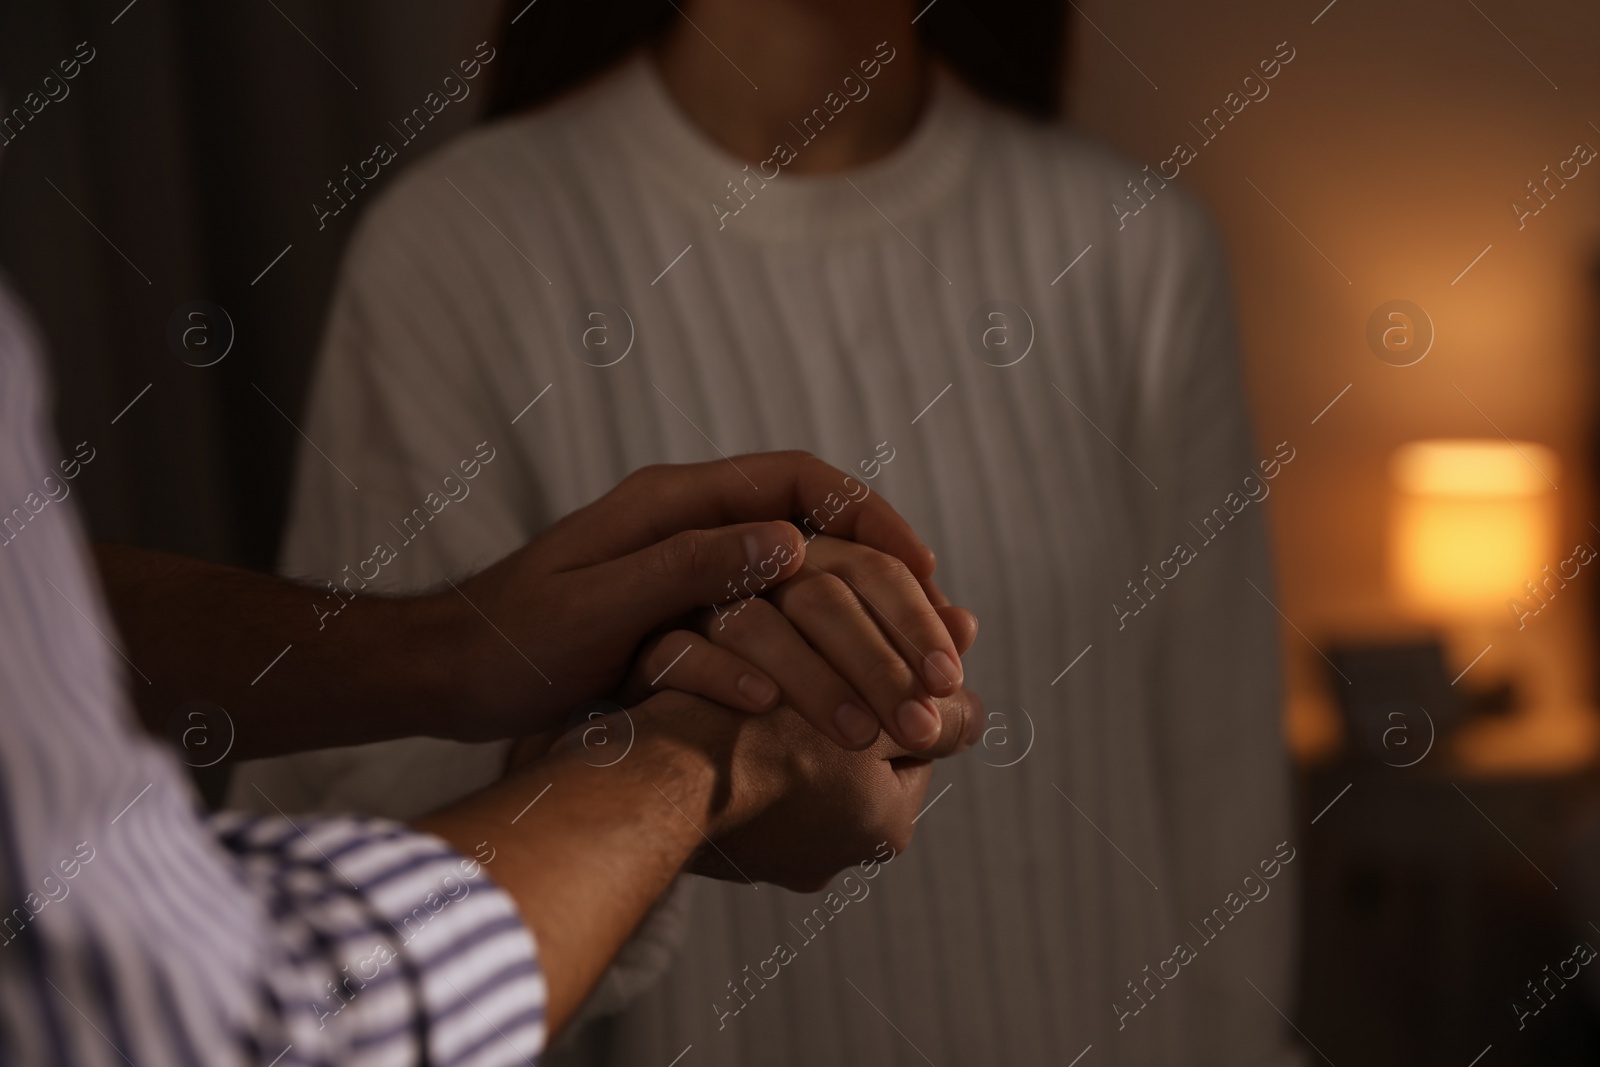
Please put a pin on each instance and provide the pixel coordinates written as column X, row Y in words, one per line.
column 1009, row 50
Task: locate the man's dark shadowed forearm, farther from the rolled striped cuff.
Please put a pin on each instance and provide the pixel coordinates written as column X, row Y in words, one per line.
column 289, row 681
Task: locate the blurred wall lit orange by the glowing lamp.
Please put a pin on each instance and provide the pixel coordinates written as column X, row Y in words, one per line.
column 1391, row 150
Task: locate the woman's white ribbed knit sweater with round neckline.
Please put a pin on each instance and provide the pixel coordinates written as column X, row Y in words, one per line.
column 828, row 314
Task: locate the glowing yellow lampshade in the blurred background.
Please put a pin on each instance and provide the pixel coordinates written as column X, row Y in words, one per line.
column 1473, row 522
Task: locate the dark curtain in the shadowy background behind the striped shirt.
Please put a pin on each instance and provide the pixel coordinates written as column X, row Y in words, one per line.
column 175, row 167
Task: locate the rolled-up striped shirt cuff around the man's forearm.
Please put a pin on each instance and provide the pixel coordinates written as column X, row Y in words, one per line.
column 393, row 945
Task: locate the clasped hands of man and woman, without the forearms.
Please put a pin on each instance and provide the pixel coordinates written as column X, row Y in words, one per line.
column 818, row 674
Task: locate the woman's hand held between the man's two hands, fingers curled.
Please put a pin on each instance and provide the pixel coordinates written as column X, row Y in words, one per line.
column 854, row 641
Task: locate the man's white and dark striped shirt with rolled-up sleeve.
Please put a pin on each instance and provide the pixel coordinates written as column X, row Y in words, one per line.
column 135, row 930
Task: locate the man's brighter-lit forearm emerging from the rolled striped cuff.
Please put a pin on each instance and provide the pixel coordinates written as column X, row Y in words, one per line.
column 586, row 850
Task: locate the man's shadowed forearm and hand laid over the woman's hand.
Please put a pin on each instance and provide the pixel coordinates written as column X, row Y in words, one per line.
column 508, row 652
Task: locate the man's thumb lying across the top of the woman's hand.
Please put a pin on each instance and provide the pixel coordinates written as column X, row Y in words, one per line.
column 700, row 569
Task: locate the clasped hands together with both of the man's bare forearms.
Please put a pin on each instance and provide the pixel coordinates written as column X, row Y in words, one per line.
column 786, row 689
